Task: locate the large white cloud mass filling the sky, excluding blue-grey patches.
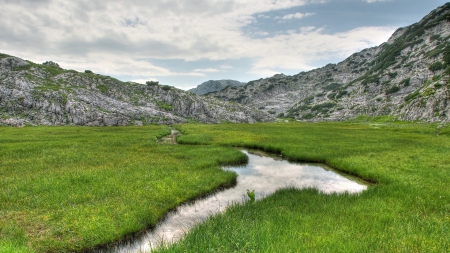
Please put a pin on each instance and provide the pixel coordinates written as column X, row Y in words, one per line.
column 119, row 38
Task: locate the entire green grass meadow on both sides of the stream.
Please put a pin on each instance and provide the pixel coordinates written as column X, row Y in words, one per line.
column 71, row 188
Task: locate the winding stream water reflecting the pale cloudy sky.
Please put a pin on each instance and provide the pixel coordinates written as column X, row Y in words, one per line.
column 262, row 174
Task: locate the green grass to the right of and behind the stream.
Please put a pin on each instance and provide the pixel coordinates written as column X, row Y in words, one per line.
column 408, row 210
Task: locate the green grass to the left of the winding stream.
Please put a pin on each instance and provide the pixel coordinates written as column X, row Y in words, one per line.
column 70, row 188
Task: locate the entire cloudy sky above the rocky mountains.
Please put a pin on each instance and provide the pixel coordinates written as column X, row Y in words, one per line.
column 186, row 42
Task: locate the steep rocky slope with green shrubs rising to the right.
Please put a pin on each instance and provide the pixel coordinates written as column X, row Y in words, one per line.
column 407, row 78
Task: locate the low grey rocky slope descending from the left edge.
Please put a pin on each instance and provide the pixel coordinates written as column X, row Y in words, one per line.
column 45, row 94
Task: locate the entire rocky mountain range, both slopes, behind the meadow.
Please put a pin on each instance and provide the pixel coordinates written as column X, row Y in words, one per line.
column 408, row 78
